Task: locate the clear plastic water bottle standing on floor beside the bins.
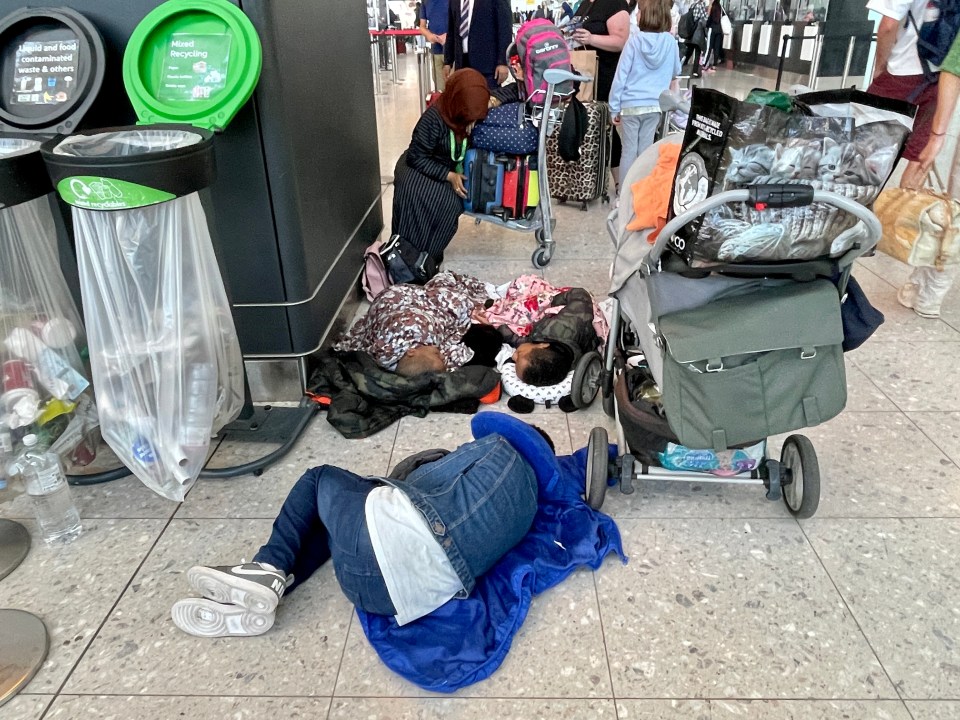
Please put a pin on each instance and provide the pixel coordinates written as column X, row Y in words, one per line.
column 47, row 486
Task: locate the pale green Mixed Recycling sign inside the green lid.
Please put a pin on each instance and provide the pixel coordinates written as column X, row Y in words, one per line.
column 195, row 66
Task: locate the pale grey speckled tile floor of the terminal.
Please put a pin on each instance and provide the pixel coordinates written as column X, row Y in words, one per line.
column 728, row 608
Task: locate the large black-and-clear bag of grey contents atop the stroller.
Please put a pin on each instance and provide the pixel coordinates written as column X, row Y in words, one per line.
column 843, row 141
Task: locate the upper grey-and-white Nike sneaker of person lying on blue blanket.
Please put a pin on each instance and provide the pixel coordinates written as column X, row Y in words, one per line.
column 250, row 585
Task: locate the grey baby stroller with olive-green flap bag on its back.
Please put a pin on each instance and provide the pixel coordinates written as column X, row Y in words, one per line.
column 704, row 363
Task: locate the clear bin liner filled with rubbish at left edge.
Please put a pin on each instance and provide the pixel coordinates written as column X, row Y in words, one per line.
column 41, row 334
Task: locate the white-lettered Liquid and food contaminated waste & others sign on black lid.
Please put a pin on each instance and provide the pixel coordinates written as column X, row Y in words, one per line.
column 45, row 71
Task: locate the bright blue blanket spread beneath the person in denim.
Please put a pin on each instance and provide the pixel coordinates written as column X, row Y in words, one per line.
column 465, row 641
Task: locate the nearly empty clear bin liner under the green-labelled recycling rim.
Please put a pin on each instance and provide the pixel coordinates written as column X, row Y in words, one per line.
column 164, row 351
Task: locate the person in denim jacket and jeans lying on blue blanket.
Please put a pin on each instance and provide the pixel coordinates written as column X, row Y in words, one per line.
column 399, row 547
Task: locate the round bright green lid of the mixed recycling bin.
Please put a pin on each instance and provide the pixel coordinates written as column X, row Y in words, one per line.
column 192, row 61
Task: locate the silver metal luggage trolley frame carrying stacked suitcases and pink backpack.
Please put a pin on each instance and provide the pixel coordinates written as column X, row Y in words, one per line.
column 541, row 221
